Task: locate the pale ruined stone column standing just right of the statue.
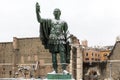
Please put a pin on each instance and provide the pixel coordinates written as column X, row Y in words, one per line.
column 79, row 62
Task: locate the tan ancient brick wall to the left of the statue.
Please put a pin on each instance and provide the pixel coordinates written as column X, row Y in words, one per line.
column 24, row 52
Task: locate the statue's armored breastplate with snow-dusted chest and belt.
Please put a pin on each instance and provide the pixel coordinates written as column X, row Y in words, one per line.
column 57, row 32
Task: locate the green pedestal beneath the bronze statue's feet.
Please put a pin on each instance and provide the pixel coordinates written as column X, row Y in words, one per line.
column 59, row 76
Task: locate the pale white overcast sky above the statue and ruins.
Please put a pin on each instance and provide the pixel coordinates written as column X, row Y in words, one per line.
column 98, row 21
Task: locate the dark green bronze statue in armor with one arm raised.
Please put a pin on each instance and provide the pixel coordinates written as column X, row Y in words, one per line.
column 53, row 33
